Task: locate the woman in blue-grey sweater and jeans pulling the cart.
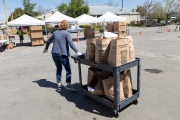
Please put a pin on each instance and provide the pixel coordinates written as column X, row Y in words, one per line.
column 60, row 53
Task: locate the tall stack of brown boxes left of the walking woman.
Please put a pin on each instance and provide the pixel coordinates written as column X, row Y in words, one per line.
column 36, row 35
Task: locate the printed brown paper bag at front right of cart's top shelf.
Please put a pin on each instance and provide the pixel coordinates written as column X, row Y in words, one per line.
column 119, row 51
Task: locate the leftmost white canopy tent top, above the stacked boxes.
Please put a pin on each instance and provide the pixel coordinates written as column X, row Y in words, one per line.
column 25, row 20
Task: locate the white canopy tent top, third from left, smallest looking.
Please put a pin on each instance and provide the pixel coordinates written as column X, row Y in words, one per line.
column 83, row 19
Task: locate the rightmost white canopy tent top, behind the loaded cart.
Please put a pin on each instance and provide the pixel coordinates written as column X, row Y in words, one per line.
column 110, row 17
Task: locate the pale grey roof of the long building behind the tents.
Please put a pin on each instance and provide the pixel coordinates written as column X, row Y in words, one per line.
column 101, row 9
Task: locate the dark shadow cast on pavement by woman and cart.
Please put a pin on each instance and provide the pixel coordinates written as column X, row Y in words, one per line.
column 77, row 98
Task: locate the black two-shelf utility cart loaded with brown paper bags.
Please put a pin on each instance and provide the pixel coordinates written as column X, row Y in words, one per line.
column 116, row 105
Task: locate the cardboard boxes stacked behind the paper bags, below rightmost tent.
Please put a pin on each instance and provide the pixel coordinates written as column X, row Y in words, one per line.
column 118, row 28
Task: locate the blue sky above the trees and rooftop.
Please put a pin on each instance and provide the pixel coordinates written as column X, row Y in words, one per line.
column 11, row 4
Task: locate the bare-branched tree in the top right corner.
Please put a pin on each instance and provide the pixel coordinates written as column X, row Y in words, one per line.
column 170, row 7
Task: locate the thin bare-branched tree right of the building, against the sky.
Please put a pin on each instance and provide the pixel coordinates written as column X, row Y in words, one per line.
column 148, row 7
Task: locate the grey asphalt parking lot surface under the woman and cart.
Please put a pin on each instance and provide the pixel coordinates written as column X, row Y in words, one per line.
column 28, row 83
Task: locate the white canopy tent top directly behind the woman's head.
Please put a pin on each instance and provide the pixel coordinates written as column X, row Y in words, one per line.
column 58, row 17
